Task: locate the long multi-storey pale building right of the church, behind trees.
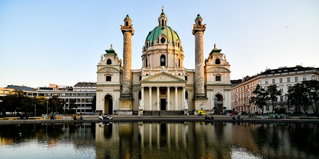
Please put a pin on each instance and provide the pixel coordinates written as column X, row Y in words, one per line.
column 283, row 77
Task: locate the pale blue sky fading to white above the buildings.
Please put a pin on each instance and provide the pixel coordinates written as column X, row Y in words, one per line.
column 61, row 41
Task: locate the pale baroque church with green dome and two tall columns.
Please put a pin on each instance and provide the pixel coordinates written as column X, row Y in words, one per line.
column 163, row 86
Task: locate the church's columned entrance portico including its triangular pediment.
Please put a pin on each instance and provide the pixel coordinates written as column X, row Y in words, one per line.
column 163, row 92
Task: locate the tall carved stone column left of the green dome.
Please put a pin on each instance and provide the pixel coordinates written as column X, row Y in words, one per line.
column 126, row 97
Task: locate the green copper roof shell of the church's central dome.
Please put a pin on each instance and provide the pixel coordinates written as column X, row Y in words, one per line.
column 169, row 33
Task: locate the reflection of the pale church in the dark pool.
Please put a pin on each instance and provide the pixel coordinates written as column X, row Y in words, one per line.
column 157, row 140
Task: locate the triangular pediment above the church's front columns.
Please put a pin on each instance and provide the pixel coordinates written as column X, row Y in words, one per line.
column 163, row 78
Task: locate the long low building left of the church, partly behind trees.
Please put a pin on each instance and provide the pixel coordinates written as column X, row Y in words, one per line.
column 80, row 97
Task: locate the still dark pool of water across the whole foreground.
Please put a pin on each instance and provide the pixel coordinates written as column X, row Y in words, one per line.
column 160, row 140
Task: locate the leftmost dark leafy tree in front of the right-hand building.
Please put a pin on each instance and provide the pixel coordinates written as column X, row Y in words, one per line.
column 260, row 98
